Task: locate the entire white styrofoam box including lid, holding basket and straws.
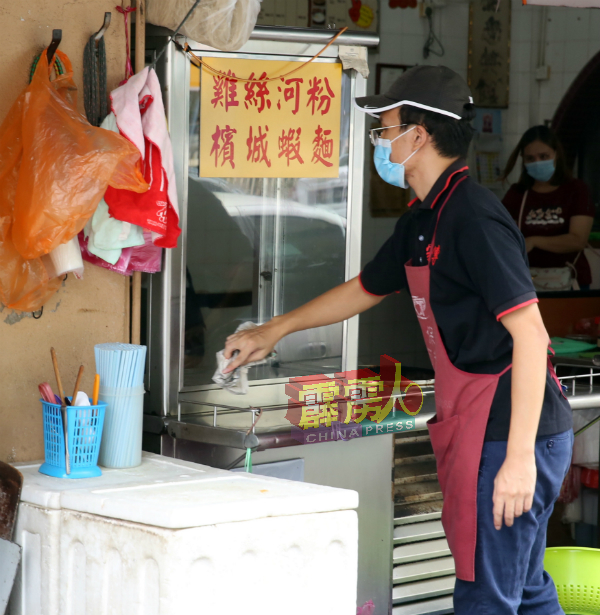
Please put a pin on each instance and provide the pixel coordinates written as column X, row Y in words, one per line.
column 173, row 537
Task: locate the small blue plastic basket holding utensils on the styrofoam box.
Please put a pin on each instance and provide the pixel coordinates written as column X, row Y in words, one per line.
column 84, row 425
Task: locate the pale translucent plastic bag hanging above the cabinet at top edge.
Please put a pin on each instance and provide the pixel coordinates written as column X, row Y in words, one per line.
column 223, row 24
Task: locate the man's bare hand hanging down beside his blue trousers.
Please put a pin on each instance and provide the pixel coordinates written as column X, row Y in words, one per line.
column 514, row 487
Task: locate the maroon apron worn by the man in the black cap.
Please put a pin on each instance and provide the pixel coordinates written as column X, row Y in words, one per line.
column 457, row 431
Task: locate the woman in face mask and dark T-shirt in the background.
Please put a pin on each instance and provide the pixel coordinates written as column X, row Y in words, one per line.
column 553, row 210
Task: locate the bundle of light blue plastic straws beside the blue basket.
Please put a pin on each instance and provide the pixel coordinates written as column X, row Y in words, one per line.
column 121, row 369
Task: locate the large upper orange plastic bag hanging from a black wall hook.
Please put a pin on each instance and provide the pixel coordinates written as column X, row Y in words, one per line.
column 65, row 164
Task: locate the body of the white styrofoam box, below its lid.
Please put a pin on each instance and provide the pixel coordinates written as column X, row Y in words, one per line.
column 95, row 566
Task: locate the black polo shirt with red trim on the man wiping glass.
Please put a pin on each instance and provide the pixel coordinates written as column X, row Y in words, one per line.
column 479, row 273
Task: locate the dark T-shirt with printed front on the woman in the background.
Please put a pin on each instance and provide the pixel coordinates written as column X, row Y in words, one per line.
column 550, row 214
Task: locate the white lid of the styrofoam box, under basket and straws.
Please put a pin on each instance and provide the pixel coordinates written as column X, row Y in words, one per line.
column 171, row 493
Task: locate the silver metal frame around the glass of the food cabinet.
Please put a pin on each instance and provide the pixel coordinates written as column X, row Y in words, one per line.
column 167, row 290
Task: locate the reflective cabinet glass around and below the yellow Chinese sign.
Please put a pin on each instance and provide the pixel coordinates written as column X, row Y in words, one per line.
column 257, row 248
